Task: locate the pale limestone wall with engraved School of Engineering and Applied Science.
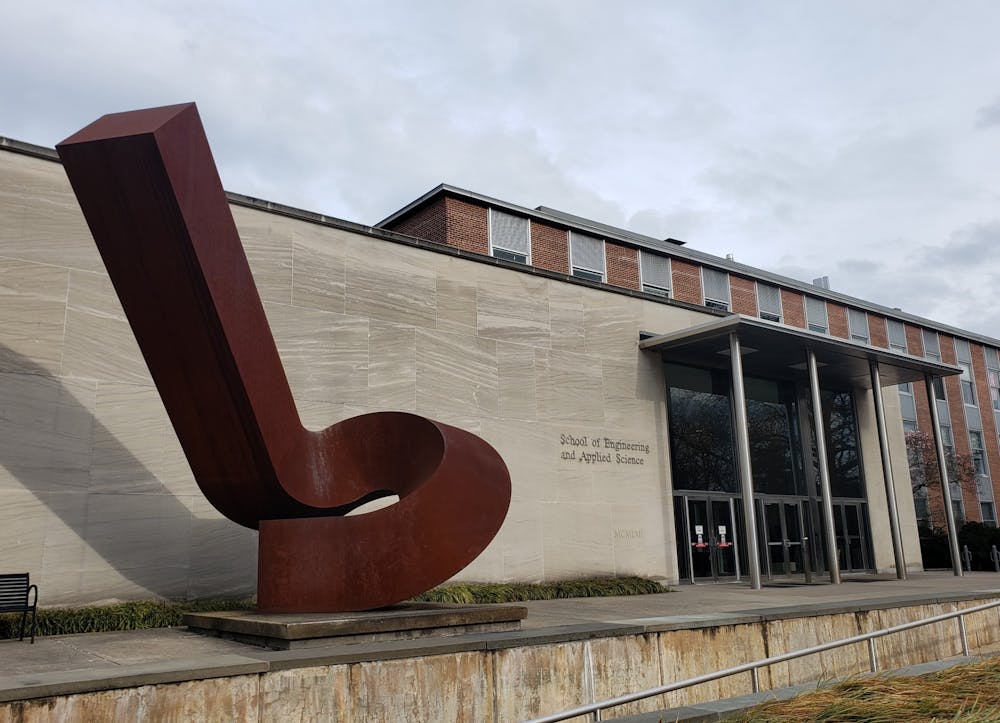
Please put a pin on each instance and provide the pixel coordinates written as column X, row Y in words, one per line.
column 97, row 500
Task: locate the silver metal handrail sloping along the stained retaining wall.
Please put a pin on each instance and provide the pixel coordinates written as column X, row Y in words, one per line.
column 752, row 668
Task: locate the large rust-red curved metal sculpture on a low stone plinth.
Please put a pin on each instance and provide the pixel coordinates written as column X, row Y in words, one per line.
column 150, row 191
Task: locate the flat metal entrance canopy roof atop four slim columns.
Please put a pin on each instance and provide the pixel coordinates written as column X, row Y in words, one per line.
column 774, row 350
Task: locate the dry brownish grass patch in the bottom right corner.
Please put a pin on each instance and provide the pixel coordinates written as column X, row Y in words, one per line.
column 964, row 693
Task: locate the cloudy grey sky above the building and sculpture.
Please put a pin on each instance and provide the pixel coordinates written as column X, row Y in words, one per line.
column 858, row 140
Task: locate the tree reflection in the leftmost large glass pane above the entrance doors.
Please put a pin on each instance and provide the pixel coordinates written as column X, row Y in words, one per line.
column 701, row 441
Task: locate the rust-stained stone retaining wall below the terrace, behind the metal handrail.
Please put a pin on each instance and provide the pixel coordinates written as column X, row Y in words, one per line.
column 510, row 681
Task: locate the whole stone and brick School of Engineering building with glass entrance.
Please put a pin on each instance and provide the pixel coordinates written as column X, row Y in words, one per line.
column 597, row 362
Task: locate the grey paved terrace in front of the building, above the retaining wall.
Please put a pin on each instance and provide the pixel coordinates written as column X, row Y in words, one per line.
column 75, row 663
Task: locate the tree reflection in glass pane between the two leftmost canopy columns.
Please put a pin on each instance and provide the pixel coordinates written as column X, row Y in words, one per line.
column 770, row 447
